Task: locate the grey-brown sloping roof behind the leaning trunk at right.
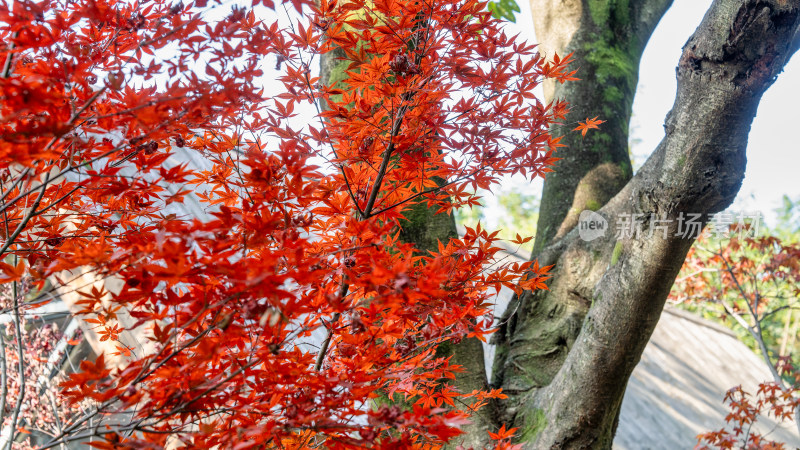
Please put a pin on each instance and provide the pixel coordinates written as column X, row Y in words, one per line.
column 677, row 390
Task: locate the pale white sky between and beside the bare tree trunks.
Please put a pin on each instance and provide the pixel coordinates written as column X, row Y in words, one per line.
column 773, row 150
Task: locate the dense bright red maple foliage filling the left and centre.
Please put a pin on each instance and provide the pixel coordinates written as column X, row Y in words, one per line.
column 301, row 221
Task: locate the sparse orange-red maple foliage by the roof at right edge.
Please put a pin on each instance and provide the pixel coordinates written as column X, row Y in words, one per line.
column 749, row 280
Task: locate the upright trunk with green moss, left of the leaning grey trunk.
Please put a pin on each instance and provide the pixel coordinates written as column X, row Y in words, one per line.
column 606, row 39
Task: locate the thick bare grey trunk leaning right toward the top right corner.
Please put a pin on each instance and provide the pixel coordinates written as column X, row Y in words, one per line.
column 697, row 168
